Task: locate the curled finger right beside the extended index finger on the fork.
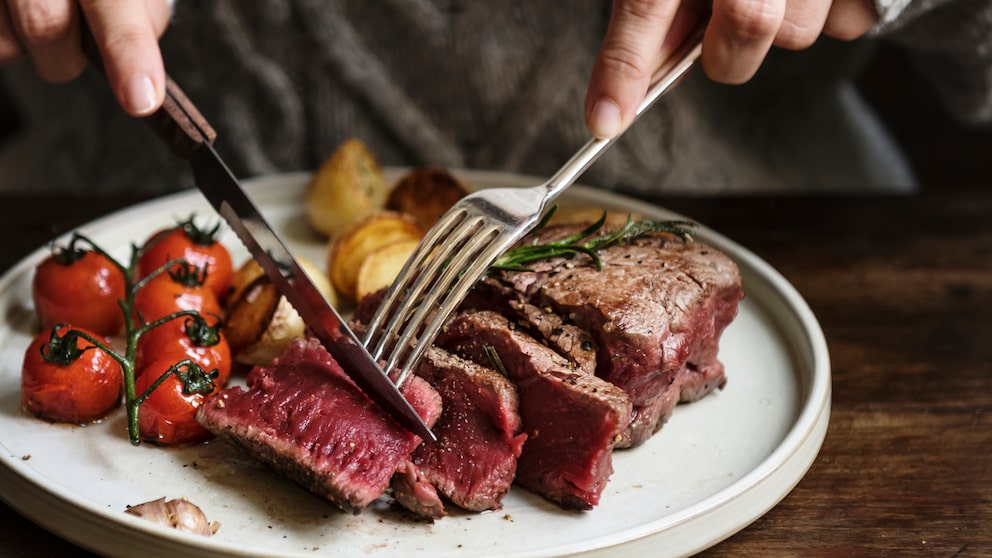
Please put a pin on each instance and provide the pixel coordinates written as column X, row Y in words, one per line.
column 739, row 36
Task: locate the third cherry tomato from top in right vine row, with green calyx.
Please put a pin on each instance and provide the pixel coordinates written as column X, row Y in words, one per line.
column 200, row 340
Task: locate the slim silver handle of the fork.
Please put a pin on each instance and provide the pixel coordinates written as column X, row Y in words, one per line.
column 669, row 75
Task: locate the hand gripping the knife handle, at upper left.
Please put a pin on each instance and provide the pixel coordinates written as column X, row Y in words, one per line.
column 49, row 32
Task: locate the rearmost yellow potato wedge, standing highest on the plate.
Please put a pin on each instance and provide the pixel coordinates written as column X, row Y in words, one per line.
column 347, row 187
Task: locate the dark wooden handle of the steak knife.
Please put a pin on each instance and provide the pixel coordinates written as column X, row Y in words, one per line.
column 178, row 122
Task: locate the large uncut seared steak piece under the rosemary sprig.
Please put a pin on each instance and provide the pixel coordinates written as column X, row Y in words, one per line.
column 656, row 310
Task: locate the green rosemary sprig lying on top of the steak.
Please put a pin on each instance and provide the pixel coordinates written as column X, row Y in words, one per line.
column 517, row 258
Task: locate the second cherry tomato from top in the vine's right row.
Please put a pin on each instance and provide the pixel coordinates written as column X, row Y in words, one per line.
column 179, row 289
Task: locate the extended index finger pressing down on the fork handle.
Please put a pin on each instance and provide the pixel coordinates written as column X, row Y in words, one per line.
column 628, row 56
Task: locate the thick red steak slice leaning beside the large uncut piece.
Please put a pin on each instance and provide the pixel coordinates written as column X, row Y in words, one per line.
column 572, row 420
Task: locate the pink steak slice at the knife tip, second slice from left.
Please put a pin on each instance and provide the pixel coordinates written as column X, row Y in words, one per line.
column 474, row 461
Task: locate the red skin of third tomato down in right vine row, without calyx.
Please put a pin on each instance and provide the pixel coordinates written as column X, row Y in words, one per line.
column 165, row 342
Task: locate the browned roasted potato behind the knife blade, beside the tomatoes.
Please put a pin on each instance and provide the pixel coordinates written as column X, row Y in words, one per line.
column 259, row 321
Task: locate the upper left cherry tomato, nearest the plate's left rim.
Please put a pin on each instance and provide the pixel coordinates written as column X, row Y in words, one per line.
column 81, row 288
